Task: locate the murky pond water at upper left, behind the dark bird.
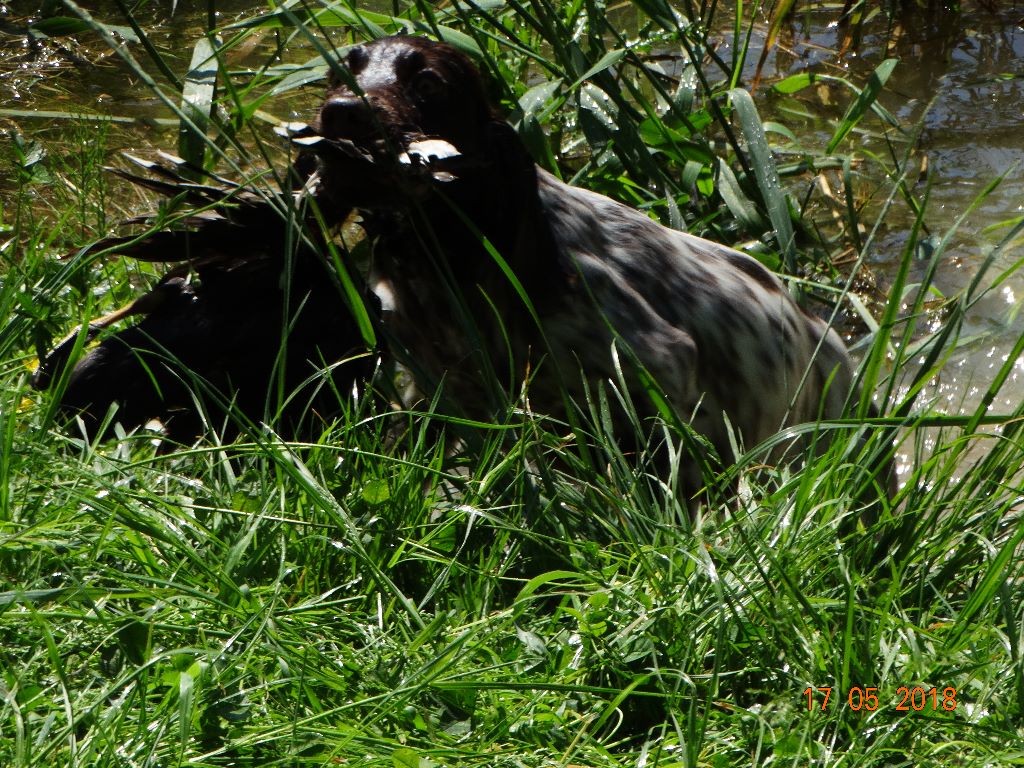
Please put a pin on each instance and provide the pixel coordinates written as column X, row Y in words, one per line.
column 78, row 75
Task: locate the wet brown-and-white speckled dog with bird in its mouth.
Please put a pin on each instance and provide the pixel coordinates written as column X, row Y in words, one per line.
column 489, row 269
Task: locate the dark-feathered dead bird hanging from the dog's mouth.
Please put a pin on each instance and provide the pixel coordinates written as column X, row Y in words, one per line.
column 250, row 328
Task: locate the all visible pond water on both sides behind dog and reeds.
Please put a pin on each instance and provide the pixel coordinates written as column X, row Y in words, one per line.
column 961, row 75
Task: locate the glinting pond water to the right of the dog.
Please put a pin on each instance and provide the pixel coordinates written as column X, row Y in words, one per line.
column 961, row 76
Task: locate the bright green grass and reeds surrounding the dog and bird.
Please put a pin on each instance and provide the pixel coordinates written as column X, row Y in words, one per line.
column 375, row 601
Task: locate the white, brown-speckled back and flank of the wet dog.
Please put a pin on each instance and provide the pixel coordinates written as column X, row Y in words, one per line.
column 718, row 331
